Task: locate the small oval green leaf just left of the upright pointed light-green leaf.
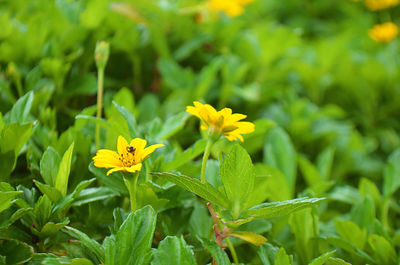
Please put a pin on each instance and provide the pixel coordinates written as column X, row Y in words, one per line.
column 49, row 165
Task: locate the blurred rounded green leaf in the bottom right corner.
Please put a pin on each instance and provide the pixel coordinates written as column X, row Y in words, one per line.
column 383, row 251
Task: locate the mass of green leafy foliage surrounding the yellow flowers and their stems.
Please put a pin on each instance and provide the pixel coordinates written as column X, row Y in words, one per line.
column 324, row 98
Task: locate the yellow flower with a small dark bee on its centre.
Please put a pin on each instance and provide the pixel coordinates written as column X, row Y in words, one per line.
column 129, row 157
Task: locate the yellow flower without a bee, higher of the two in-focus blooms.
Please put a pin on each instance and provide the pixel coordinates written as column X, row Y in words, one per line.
column 221, row 122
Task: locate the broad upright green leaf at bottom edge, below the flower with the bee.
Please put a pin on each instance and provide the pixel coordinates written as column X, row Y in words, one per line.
column 133, row 239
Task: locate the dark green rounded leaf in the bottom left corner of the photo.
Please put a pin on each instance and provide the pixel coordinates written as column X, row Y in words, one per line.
column 15, row 252
